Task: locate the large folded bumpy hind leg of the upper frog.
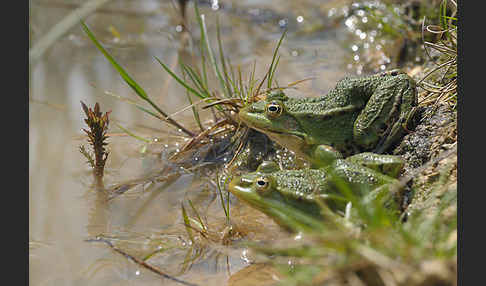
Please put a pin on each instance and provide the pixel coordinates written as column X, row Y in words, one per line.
column 387, row 114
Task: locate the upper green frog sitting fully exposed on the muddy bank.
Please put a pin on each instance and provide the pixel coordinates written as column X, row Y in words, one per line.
column 360, row 114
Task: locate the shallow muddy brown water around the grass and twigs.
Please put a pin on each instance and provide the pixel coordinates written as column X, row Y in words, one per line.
column 65, row 210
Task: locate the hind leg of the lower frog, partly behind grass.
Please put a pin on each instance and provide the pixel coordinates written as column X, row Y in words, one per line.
column 390, row 165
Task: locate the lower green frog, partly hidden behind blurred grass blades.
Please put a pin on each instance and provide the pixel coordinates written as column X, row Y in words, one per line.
column 291, row 197
